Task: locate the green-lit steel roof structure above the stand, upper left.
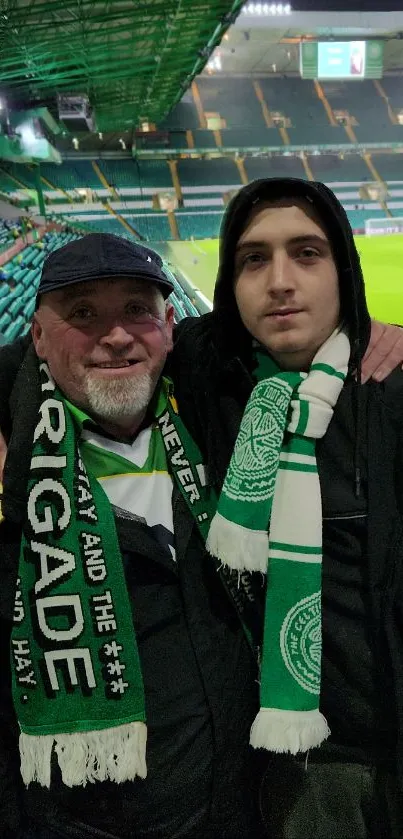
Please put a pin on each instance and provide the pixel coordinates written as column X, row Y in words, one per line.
column 133, row 58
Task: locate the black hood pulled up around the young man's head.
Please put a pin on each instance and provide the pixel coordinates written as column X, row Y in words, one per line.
column 351, row 282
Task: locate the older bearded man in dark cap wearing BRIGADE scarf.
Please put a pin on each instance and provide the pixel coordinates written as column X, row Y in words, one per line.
column 133, row 677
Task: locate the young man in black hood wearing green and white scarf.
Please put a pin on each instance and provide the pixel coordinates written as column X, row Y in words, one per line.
column 307, row 465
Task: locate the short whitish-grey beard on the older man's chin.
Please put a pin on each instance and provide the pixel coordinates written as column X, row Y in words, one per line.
column 123, row 398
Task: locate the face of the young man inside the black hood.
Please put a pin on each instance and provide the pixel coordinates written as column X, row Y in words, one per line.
column 286, row 283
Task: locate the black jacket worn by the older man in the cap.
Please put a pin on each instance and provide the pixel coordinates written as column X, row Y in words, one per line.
column 200, row 686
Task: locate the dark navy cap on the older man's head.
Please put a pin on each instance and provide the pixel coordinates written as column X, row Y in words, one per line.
column 101, row 256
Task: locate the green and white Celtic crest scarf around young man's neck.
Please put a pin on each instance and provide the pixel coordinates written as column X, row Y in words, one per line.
column 269, row 519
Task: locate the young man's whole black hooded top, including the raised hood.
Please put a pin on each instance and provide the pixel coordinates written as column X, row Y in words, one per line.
column 361, row 515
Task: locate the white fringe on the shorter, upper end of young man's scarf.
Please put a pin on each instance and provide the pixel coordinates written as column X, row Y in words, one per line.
column 238, row 547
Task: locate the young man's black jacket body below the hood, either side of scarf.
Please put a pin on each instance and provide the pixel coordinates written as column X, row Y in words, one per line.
column 362, row 666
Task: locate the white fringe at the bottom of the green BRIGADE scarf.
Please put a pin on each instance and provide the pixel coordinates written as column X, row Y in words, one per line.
column 116, row 754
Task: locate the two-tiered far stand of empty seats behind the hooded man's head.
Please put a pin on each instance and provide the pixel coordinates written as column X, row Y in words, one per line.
column 121, row 189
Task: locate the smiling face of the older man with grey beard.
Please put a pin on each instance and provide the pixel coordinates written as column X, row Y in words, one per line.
column 106, row 343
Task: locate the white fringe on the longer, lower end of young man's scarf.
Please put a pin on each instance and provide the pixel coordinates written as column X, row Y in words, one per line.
column 288, row 731
